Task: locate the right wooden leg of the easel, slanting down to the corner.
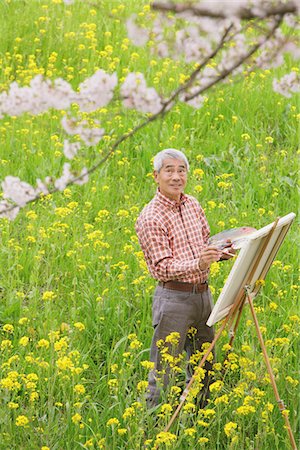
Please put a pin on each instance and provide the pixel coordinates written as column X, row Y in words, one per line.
column 270, row 371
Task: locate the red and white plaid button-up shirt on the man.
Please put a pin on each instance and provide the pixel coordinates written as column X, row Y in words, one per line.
column 172, row 235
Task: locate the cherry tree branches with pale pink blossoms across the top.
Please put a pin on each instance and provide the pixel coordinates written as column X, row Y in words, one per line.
column 237, row 36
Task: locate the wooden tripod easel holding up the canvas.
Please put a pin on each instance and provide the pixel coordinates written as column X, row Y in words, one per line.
column 233, row 317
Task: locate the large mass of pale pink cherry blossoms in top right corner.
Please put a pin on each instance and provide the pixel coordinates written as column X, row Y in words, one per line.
column 194, row 30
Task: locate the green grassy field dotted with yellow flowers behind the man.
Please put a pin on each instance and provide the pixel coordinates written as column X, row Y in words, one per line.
column 75, row 310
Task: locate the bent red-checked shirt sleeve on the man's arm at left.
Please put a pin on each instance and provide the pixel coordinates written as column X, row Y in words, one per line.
column 162, row 265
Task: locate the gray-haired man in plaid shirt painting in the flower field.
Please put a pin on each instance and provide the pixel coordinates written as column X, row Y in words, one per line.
column 173, row 233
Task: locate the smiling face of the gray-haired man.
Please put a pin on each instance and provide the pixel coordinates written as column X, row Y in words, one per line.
column 171, row 178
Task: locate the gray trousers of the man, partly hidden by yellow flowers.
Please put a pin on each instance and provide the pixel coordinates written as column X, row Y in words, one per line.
column 177, row 311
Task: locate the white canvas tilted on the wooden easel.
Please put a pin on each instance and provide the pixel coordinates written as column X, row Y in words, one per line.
column 243, row 272
